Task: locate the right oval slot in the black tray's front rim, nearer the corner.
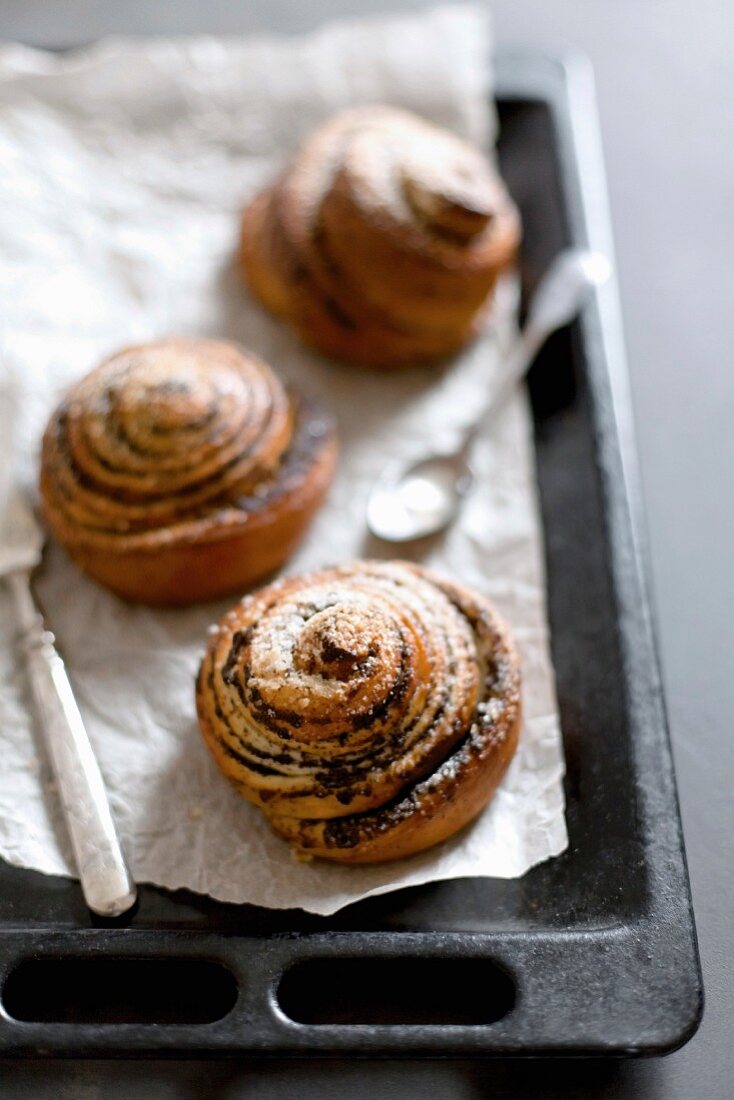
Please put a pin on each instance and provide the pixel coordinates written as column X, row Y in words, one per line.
column 408, row 991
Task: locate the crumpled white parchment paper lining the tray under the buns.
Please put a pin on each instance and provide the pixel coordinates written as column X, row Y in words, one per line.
column 123, row 171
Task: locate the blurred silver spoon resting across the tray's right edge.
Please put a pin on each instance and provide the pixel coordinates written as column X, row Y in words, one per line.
column 410, row 502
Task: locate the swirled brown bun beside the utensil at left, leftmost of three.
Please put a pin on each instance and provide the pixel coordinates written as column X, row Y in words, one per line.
column 183, row 470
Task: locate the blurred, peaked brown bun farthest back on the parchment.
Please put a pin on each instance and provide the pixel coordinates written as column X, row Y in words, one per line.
column 382, row 241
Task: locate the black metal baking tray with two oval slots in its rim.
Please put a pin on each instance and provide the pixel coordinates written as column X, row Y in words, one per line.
column 590, row 954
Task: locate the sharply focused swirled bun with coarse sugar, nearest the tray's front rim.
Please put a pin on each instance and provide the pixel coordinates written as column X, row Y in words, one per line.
column 369, row 711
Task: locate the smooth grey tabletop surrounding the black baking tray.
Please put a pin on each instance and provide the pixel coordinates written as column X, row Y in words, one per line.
column 665, row 71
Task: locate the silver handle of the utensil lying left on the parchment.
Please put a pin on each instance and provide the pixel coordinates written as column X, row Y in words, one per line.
column 106, row 881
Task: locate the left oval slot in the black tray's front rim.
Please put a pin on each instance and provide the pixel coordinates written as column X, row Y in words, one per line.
column 119, row 992
